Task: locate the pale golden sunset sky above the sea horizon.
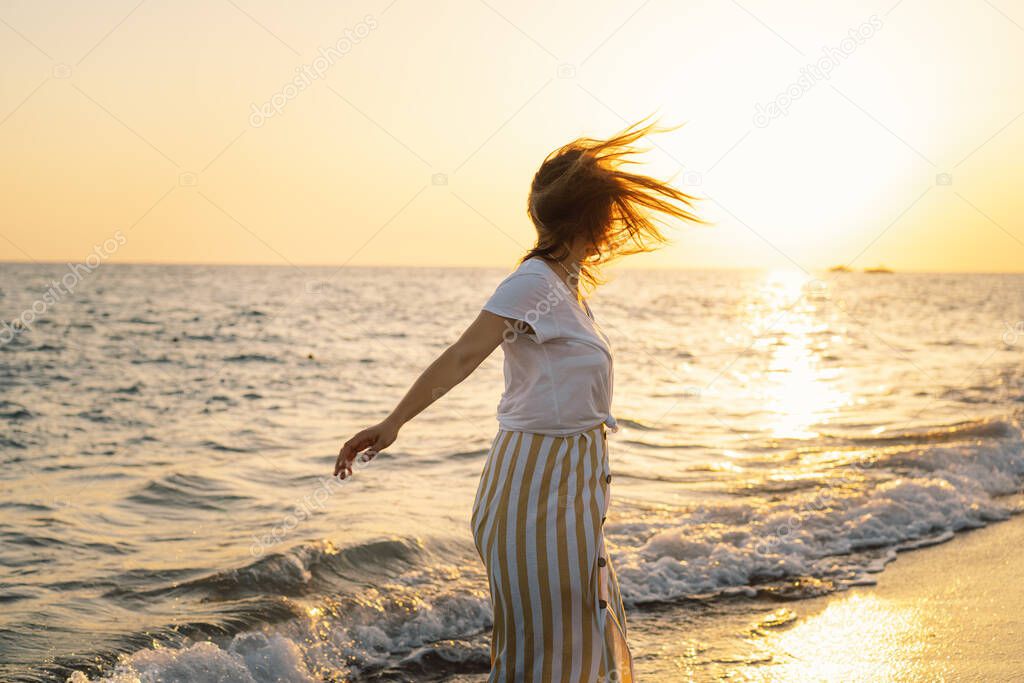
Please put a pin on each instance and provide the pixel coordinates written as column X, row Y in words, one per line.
column 400, row 133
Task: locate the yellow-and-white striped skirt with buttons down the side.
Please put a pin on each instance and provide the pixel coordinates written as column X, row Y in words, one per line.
column 537, row 525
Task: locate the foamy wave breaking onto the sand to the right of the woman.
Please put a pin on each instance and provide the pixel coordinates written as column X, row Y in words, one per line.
column 833, row 535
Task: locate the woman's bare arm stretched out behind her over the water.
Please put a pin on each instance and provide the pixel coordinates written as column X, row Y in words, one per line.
column 456, row 364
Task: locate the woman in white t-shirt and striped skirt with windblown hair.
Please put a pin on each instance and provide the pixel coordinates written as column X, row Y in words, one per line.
column 544, row 492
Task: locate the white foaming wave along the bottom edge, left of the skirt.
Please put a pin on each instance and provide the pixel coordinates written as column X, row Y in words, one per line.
column 321, row 647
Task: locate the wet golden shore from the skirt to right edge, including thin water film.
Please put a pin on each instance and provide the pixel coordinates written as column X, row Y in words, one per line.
column 948, row 613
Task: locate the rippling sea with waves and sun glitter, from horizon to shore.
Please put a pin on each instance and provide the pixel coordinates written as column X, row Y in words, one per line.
column 167, row 513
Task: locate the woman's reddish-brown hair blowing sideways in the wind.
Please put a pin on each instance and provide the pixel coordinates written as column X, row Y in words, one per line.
column 583, row 192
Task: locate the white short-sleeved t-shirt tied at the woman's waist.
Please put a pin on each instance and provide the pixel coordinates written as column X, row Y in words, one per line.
column 559, row 379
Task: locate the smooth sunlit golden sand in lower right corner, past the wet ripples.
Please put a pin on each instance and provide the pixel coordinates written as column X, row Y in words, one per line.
column 948, row 613
